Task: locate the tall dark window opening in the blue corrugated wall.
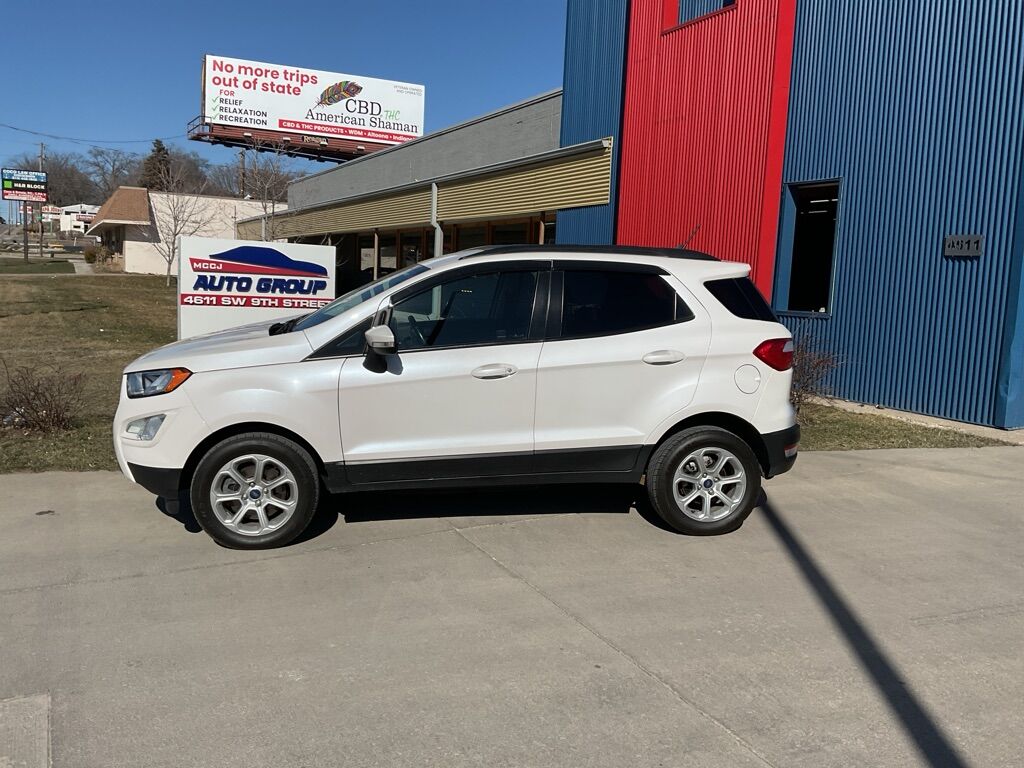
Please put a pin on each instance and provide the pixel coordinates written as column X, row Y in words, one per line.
column 814, row 209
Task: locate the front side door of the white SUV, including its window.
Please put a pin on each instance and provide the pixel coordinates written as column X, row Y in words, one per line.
column 458, row 398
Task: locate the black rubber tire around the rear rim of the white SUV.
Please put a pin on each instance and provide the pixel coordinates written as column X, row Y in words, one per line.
column 668, row 458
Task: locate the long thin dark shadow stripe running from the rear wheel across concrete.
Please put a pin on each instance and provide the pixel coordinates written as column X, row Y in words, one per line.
column 931, row 742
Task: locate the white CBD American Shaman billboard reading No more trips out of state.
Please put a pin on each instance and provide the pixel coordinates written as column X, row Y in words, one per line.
column 290, row 100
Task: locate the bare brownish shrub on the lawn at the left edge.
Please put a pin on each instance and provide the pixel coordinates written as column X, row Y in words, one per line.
column 40, row 399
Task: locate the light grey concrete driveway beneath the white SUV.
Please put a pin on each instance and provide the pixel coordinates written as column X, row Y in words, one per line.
column 870, row 614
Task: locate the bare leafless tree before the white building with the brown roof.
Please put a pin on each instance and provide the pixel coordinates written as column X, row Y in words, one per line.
column 179, row 211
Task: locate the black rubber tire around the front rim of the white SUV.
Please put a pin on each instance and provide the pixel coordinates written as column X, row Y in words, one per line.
column 291, row 456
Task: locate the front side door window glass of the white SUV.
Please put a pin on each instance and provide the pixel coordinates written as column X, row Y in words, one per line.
column 478, row 310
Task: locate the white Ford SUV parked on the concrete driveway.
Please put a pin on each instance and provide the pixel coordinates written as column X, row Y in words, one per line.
column 504, row 365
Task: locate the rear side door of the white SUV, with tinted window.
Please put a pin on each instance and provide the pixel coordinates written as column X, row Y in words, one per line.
column 625, row 348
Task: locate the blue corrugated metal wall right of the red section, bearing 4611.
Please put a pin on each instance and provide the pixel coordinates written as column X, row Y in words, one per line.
column 919, row 110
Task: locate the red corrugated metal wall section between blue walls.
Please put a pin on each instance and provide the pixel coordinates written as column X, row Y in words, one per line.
column 704, row 130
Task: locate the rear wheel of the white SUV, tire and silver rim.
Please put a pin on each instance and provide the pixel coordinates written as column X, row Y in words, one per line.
column 704, row 481
